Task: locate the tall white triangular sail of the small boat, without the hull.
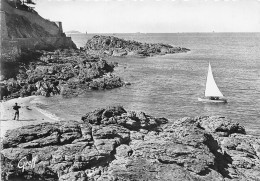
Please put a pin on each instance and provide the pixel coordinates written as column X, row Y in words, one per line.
column 212, row 89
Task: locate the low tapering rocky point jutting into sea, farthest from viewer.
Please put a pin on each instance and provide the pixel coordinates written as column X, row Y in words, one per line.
column 113, row 46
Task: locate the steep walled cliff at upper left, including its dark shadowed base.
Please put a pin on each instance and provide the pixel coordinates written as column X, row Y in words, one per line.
column 23, row 33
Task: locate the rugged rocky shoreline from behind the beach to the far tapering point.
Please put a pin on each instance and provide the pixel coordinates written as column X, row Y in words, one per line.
column 71, row 72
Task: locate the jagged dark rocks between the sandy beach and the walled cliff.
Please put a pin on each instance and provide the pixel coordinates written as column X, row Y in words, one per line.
column 66, row 72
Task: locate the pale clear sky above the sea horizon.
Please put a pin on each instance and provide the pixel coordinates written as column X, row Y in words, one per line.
column 153, row 16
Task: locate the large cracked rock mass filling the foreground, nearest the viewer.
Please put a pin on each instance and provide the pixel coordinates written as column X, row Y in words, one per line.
column 115, row 144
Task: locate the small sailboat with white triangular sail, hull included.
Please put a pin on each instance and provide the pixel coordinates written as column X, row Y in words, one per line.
column 212, row 92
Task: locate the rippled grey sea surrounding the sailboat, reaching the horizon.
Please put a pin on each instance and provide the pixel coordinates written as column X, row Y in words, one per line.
column 169, row 85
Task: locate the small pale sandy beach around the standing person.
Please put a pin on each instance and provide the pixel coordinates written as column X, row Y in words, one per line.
column 29, row 114
